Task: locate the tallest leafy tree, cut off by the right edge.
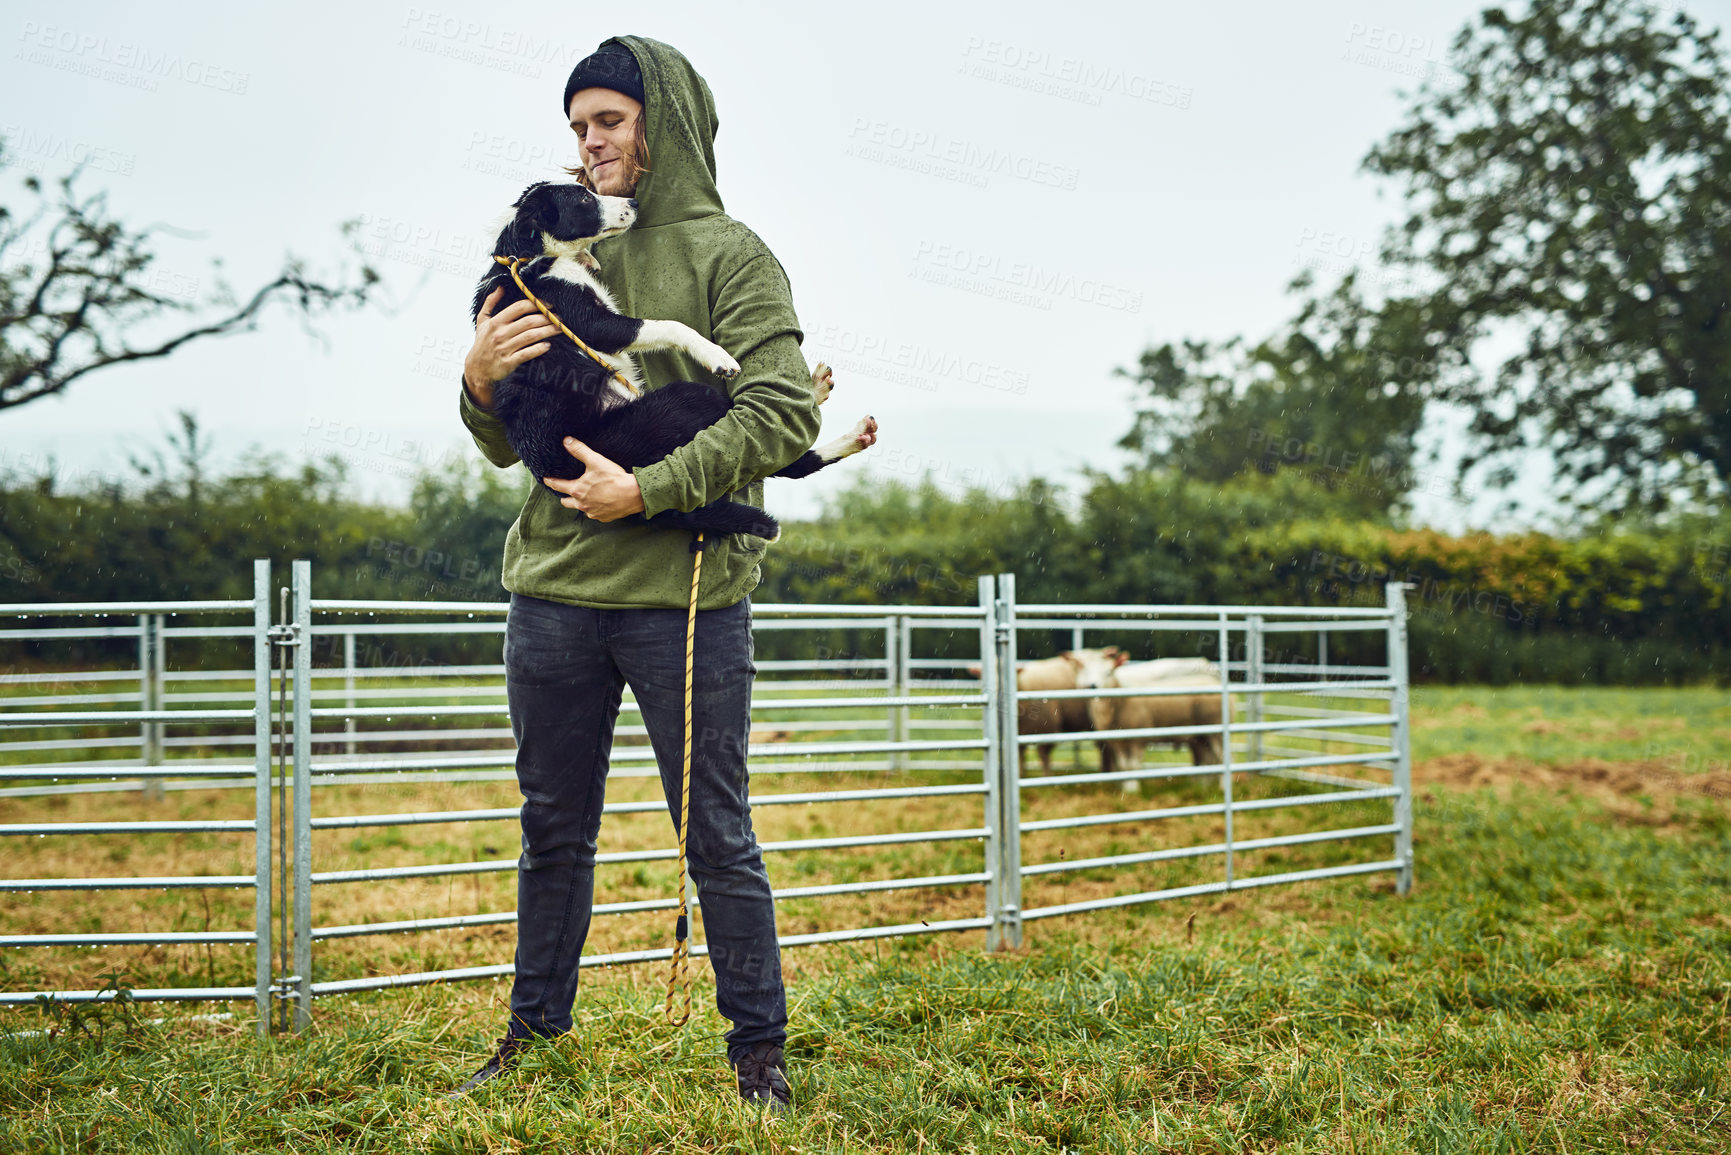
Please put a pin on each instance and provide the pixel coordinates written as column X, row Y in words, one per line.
column 1574, row 190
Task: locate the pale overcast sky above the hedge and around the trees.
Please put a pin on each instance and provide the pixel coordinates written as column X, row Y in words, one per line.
column 984, row 210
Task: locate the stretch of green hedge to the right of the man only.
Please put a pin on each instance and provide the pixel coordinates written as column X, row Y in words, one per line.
column 1619, row 607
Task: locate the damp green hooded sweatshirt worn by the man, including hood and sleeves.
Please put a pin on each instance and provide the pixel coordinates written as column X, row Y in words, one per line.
column 683, row 261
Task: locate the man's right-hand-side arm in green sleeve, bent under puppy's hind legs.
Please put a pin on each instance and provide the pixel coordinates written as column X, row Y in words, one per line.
column 775, row 415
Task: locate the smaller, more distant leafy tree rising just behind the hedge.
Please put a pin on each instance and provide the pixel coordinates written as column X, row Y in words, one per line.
column 1332, row 396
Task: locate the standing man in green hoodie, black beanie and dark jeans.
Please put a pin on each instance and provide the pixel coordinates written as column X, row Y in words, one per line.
column 600, row 602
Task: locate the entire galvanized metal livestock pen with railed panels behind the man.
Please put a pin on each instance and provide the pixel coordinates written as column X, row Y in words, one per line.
column 278, row 718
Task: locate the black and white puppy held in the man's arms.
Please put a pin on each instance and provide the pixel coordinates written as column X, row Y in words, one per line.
column 567, row 394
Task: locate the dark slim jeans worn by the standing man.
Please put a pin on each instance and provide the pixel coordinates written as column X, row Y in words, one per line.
column 565, row 669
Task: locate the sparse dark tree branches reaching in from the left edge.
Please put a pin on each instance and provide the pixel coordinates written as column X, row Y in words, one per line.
column 82, row 290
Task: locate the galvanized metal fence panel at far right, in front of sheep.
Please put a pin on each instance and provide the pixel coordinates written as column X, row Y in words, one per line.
column 1259, row 740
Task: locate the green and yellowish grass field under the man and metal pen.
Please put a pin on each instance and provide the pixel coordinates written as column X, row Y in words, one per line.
column 1559, row 981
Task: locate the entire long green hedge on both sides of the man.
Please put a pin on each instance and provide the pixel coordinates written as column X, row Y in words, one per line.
column 1623, row 607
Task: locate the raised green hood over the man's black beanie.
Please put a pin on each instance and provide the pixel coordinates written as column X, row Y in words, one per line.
column 681, row 134
